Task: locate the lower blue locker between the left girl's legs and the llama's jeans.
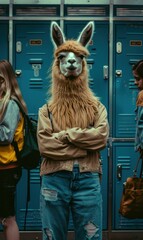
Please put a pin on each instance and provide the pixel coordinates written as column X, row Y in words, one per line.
column 33, row 219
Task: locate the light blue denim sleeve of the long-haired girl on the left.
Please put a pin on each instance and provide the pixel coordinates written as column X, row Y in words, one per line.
column 9, row 123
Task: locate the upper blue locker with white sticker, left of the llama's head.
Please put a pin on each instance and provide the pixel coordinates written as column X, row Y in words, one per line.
column 33, row 58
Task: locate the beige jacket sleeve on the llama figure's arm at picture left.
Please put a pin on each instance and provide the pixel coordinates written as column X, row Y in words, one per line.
column 50, row 144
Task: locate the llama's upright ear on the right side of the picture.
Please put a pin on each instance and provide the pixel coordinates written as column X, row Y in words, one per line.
column 86, row 34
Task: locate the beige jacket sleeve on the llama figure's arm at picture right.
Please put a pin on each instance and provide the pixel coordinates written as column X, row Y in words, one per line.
column 94, row 138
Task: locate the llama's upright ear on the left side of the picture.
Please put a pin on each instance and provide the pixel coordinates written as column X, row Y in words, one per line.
column 57, row 35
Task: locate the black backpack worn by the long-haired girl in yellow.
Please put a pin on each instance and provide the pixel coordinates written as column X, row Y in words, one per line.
column 29, row 156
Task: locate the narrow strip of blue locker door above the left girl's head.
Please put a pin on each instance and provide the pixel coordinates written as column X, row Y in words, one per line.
column 4, row 41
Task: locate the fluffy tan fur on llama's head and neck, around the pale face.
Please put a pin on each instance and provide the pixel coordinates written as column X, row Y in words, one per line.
column 72, row 104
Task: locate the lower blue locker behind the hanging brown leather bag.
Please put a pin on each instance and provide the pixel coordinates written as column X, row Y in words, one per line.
column 124, row 157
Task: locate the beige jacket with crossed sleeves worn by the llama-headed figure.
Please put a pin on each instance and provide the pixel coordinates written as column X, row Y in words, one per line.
column 60, row 149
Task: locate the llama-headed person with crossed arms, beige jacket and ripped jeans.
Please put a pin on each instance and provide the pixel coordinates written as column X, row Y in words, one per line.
column 72, row 129
